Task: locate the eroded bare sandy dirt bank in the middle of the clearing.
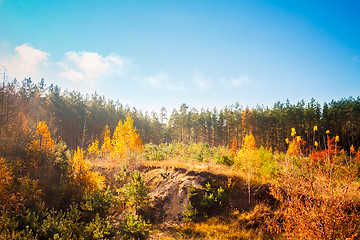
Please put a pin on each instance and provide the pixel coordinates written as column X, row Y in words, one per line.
column 170, row 185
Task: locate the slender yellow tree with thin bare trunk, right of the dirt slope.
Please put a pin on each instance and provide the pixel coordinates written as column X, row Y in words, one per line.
column 247, row 159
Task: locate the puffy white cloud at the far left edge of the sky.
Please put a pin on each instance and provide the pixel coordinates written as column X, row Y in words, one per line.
column 25, row 62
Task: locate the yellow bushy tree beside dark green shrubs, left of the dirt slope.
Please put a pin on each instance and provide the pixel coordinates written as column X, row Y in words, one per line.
column 82, row 179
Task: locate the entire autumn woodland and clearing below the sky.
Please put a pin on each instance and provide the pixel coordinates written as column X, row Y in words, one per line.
column 77, row 166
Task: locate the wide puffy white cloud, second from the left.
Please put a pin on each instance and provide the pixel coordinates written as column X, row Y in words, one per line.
column 90, row 67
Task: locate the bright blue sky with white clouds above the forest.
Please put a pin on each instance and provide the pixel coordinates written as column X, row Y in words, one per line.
column 204, row 53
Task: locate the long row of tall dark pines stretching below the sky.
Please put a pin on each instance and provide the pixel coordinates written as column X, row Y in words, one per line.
column 81, row 119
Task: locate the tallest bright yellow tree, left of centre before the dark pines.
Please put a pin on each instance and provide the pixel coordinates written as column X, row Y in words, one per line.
column 125, row 139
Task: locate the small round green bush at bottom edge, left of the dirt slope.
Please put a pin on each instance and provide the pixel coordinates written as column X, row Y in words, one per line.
column 134, row 227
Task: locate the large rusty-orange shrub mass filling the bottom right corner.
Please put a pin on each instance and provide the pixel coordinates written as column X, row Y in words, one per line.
column 318, row 198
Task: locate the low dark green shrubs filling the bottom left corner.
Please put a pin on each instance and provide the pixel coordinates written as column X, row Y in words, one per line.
column 53, row 224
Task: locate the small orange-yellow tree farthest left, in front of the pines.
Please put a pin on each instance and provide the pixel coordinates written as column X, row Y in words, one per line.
column 42, row 140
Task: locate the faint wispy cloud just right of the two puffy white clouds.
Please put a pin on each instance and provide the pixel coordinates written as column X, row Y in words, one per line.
column 161, row 81
